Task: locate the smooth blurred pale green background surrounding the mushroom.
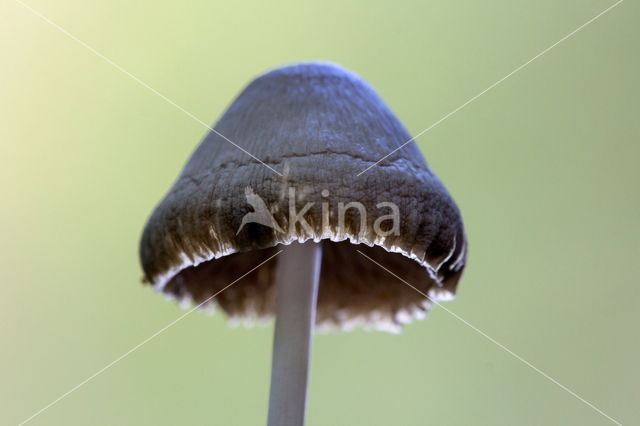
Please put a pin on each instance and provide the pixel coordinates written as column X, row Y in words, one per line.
column 544, row 168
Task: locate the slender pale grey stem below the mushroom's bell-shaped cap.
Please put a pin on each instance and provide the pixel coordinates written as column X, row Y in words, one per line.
column 297, row 280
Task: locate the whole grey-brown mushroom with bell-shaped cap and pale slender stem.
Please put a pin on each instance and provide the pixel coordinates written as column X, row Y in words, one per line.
column 317, row 226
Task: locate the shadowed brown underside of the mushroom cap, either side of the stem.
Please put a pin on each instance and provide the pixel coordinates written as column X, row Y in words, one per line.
column 354, row 290
